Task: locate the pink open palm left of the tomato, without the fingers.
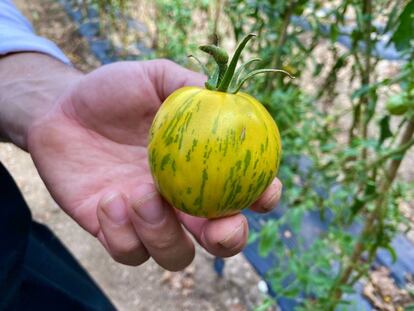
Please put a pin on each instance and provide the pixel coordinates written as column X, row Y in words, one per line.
column 94, row 141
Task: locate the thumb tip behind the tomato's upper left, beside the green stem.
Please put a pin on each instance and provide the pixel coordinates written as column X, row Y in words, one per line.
column 168, row 76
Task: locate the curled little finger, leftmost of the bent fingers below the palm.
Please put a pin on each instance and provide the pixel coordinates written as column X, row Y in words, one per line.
column 118, row 234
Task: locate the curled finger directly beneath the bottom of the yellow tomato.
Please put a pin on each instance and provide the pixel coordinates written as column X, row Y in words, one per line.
column 223, row 237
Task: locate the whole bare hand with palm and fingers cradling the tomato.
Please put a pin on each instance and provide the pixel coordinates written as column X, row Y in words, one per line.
column 93, row 143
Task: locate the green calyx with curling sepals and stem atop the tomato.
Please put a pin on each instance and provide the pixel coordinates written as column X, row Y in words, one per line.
column 225, row 77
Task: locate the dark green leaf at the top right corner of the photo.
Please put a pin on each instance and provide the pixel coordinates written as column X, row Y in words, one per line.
column 404, row 33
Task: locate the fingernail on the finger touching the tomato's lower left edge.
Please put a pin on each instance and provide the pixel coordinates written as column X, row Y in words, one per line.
column 150, row 208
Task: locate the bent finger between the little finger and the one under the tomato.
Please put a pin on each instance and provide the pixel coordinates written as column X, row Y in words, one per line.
column 159, row 230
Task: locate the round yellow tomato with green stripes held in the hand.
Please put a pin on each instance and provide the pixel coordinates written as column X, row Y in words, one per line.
column 213, row 153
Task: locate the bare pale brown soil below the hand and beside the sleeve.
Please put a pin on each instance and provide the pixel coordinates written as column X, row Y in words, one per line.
column 147, row 287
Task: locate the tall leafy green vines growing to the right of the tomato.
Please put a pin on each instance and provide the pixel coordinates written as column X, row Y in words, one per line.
column 358, row 178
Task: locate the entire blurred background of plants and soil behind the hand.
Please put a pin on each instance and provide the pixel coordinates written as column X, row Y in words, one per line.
column 344, row 228
